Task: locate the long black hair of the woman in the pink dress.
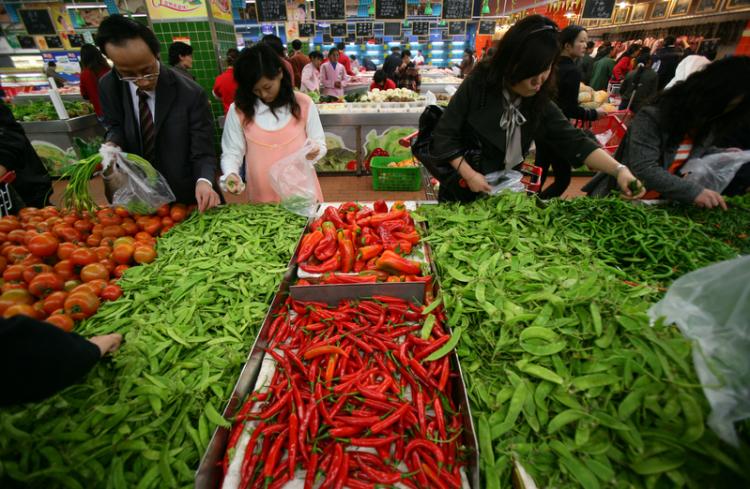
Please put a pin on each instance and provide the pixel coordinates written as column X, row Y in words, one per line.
column 253, row 64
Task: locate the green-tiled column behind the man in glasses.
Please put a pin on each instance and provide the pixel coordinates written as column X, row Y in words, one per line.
column 209, row 29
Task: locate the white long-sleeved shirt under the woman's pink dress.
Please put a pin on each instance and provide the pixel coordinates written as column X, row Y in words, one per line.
column 233, row 138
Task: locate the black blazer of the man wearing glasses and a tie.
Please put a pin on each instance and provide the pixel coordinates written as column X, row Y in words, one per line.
column 184, row 130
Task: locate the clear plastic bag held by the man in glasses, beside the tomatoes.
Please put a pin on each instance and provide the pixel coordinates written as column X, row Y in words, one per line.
column 131, row 182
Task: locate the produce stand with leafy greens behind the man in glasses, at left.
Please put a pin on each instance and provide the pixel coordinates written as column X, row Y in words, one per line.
column 54, row 141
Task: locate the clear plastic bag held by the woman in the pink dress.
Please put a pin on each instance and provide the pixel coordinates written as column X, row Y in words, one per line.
column 293, row 178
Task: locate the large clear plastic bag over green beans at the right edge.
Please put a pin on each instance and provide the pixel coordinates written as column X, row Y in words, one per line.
column 711, row 306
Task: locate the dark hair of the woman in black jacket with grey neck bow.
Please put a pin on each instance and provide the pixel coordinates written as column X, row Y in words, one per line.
column 529, row 48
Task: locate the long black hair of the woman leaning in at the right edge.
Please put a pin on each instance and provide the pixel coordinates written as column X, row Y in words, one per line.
column 710, row 100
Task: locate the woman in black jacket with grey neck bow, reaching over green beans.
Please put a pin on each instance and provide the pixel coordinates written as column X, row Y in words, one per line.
column 502, row 106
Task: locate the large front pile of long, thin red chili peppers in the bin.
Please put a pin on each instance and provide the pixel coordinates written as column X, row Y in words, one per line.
column 353, row 401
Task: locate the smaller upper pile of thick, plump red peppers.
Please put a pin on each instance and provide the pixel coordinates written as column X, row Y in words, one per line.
column 369, row 244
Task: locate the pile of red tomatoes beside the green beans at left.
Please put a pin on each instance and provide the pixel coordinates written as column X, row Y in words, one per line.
column 58, row 266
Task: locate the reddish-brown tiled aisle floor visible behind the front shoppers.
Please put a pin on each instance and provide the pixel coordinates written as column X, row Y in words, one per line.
column 335, row 189
